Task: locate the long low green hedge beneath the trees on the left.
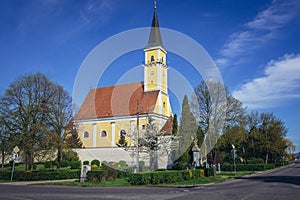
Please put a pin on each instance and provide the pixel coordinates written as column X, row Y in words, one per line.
column 41, row 175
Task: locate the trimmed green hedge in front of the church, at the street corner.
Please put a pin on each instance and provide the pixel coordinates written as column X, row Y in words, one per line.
column 159, row 177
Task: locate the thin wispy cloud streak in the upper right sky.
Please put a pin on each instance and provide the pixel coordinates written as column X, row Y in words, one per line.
column 261, row 29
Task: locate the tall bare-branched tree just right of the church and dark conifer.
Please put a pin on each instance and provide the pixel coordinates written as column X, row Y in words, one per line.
column 215, row 109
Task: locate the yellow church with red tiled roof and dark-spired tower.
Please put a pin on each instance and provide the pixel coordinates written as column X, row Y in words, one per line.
column 109, row 112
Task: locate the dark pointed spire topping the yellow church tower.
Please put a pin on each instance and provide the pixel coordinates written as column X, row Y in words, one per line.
column 155, row 39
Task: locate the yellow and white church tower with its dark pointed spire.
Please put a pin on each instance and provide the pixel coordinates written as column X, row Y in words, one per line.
column 155, row 67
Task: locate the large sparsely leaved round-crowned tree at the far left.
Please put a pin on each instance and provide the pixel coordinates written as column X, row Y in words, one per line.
column 25, row 109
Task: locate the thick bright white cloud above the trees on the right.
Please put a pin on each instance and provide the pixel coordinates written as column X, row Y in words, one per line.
column 281, row 81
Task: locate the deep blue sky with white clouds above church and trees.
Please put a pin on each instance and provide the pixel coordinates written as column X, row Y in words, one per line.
column 255, row 44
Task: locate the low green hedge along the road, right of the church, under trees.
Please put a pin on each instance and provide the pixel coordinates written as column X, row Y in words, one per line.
column 247, row 167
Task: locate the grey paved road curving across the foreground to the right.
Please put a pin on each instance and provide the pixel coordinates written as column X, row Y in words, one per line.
column 276, row 184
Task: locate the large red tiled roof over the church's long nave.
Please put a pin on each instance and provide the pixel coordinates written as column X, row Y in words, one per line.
column 120, row 100
